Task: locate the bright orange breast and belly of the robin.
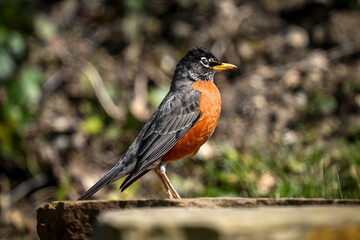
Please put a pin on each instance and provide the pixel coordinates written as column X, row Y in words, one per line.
column 209, row 108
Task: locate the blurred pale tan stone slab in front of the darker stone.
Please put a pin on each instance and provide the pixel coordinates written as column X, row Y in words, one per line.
column 263, row 223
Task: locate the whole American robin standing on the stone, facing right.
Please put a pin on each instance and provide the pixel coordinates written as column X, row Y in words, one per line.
column 184, row 121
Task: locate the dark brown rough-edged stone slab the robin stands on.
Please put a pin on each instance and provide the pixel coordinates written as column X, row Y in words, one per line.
column 75, row 220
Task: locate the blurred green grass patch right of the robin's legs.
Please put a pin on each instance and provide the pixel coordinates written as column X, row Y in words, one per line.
column 297, row 171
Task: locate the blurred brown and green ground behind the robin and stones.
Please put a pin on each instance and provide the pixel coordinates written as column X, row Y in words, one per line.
column 78, row 79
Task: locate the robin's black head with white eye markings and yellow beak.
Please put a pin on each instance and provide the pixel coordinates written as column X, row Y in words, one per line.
column 198, row 64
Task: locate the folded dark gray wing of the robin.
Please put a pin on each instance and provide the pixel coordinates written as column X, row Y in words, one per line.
column 173, row 119
